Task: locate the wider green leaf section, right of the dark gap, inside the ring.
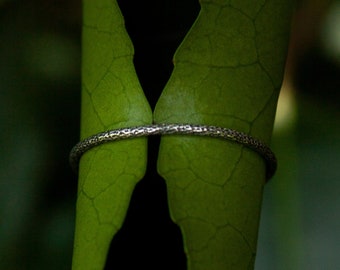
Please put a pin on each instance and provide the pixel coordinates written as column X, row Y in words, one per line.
column 228, row 73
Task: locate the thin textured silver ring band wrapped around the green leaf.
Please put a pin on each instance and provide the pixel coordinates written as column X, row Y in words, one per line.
column 181, row 129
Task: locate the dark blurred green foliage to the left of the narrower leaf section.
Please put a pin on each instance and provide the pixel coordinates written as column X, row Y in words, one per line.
column 39, row 52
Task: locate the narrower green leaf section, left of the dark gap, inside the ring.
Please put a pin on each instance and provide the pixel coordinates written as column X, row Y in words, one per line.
column 111, row 98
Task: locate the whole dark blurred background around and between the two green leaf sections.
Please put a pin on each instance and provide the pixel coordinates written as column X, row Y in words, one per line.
column 39, row 120
